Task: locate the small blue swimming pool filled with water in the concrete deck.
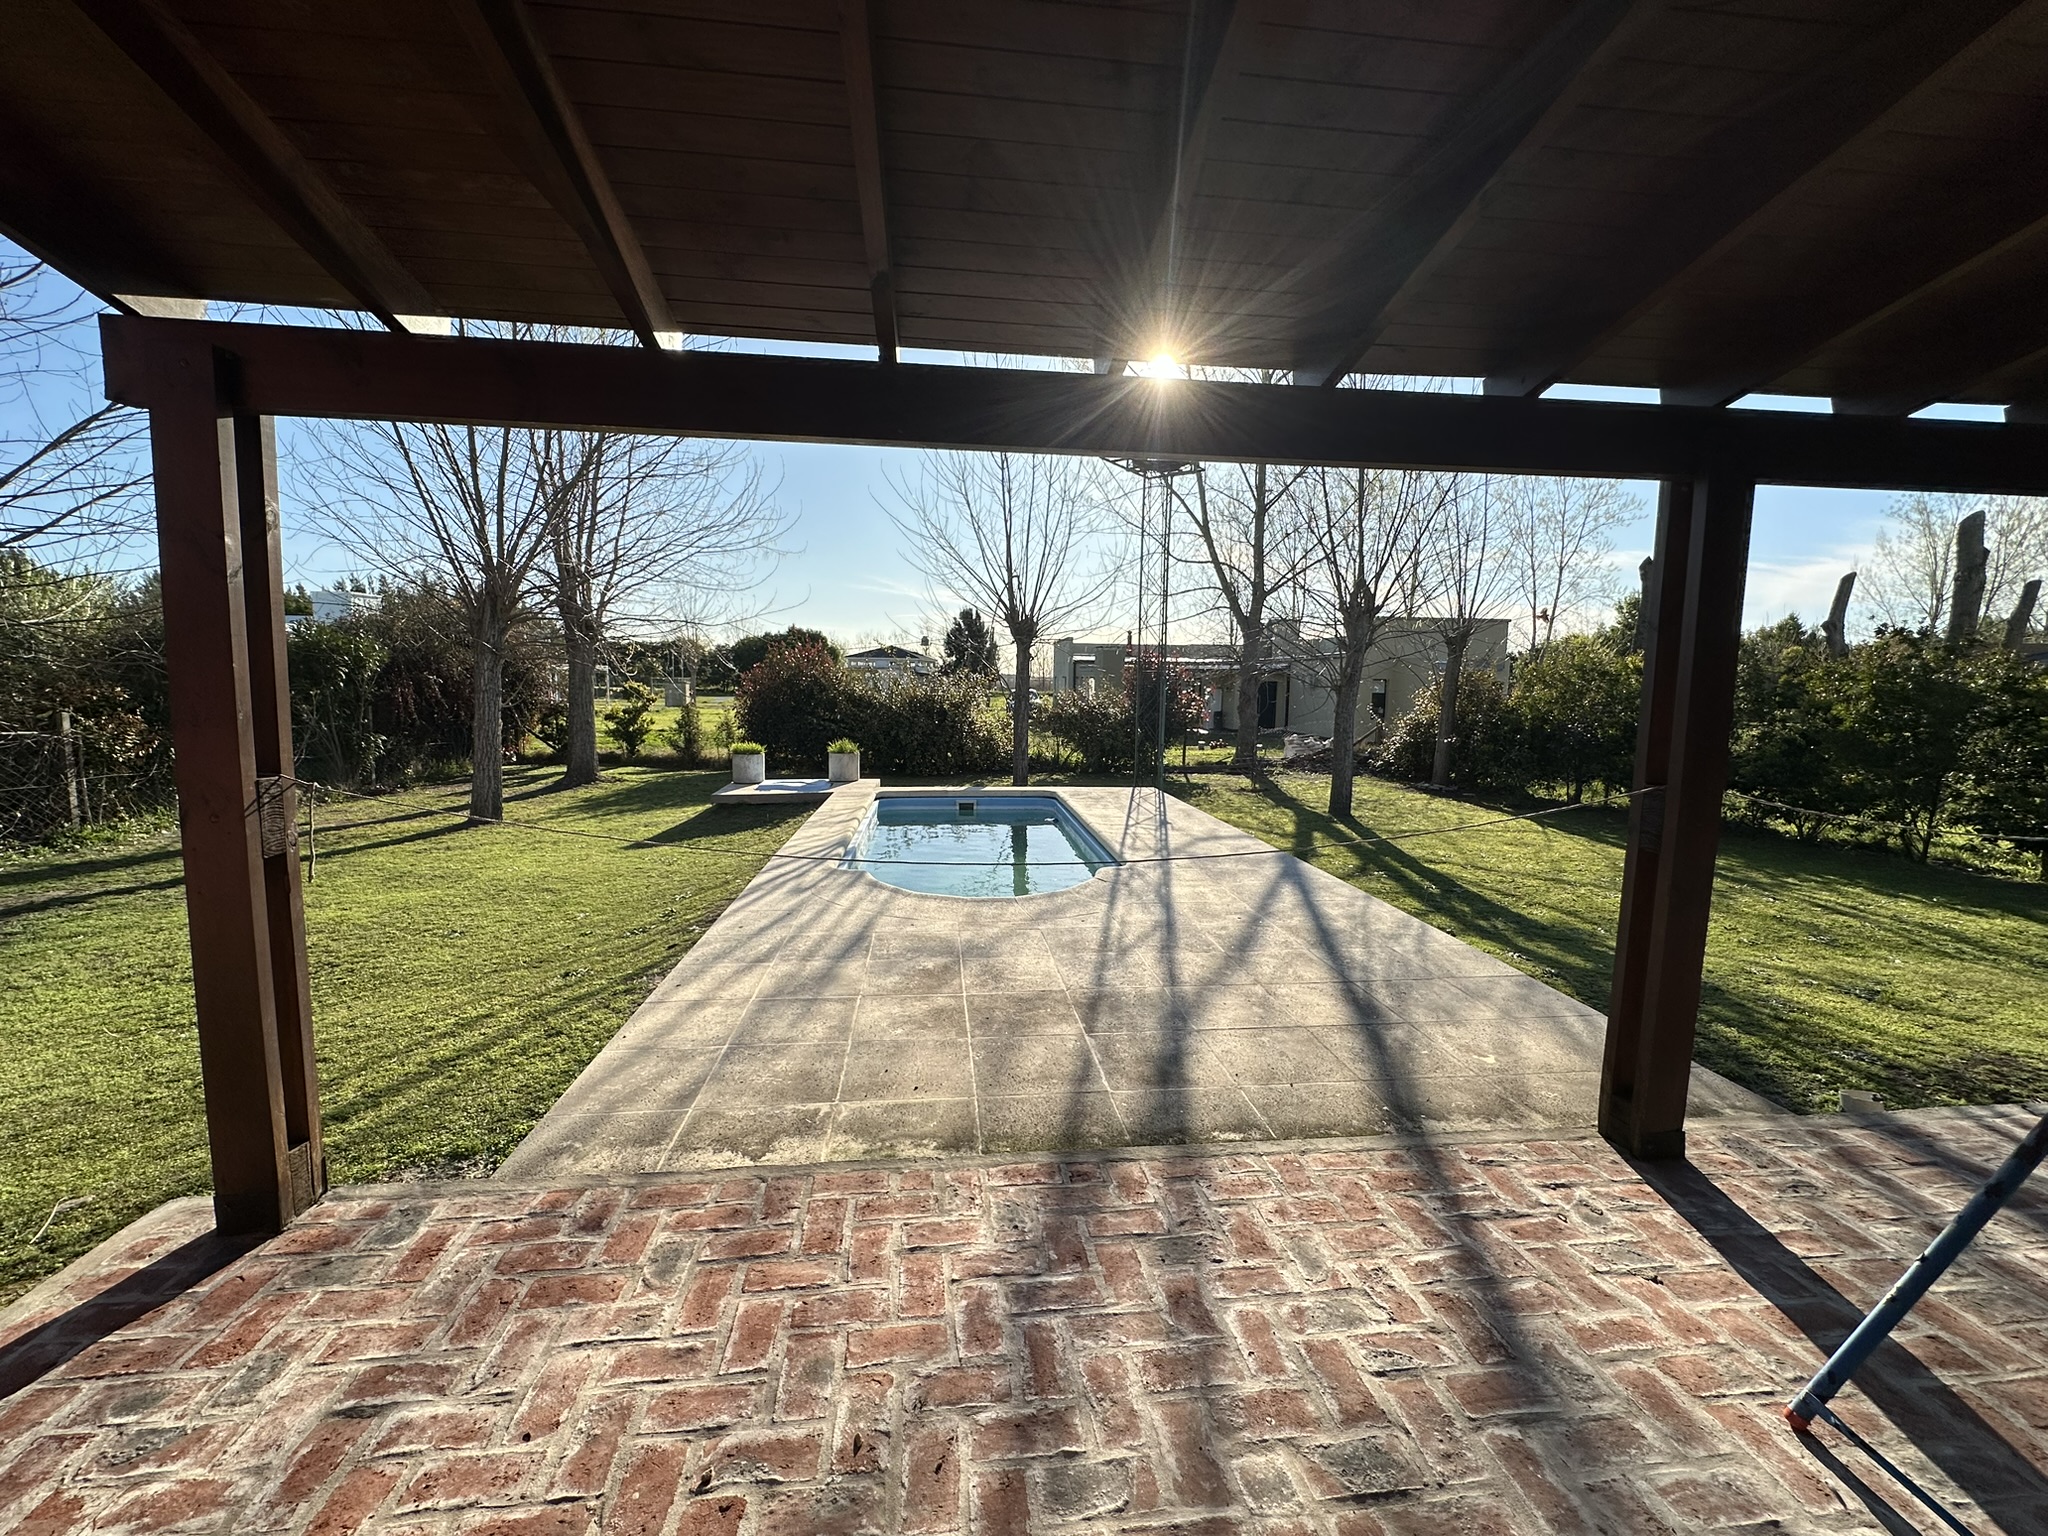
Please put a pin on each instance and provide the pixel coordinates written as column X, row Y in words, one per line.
column 976, row 845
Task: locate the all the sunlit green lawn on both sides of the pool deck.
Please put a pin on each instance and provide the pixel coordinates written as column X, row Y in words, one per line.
column 462, row 978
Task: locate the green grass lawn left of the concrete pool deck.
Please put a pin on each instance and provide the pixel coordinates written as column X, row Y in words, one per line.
column 462, row 978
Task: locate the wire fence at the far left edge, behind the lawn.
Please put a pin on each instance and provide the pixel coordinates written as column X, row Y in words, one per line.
column 81, row 775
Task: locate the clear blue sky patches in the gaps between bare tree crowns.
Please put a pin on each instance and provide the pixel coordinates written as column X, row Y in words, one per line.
column 845, row 570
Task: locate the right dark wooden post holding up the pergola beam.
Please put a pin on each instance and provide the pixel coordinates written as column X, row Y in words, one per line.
column 1674, row 826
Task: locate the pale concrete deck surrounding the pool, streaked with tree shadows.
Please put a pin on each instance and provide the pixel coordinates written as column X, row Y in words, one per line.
column 1232, row 994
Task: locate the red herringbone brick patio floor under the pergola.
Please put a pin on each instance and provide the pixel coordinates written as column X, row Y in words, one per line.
column 1342, row 1338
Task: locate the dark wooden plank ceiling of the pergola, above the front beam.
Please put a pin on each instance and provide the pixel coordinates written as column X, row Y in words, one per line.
column 1832, row 198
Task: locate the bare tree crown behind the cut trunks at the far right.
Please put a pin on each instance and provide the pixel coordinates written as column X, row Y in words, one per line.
column 1910, row 579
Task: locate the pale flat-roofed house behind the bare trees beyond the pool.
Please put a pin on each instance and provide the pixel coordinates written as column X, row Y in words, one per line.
column 1295, row 693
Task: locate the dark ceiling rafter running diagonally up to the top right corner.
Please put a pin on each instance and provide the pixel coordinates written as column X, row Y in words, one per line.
column 1750, row 163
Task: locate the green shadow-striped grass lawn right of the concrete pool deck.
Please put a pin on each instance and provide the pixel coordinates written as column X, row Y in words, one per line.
column 1826, row 970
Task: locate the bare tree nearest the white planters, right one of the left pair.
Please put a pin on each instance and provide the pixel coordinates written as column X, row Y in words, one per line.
column 671, row 527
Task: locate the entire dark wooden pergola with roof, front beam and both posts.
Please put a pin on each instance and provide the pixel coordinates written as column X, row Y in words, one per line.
column 1838, row 198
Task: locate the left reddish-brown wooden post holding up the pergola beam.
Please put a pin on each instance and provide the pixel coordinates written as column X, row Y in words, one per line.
column 224, row 644
